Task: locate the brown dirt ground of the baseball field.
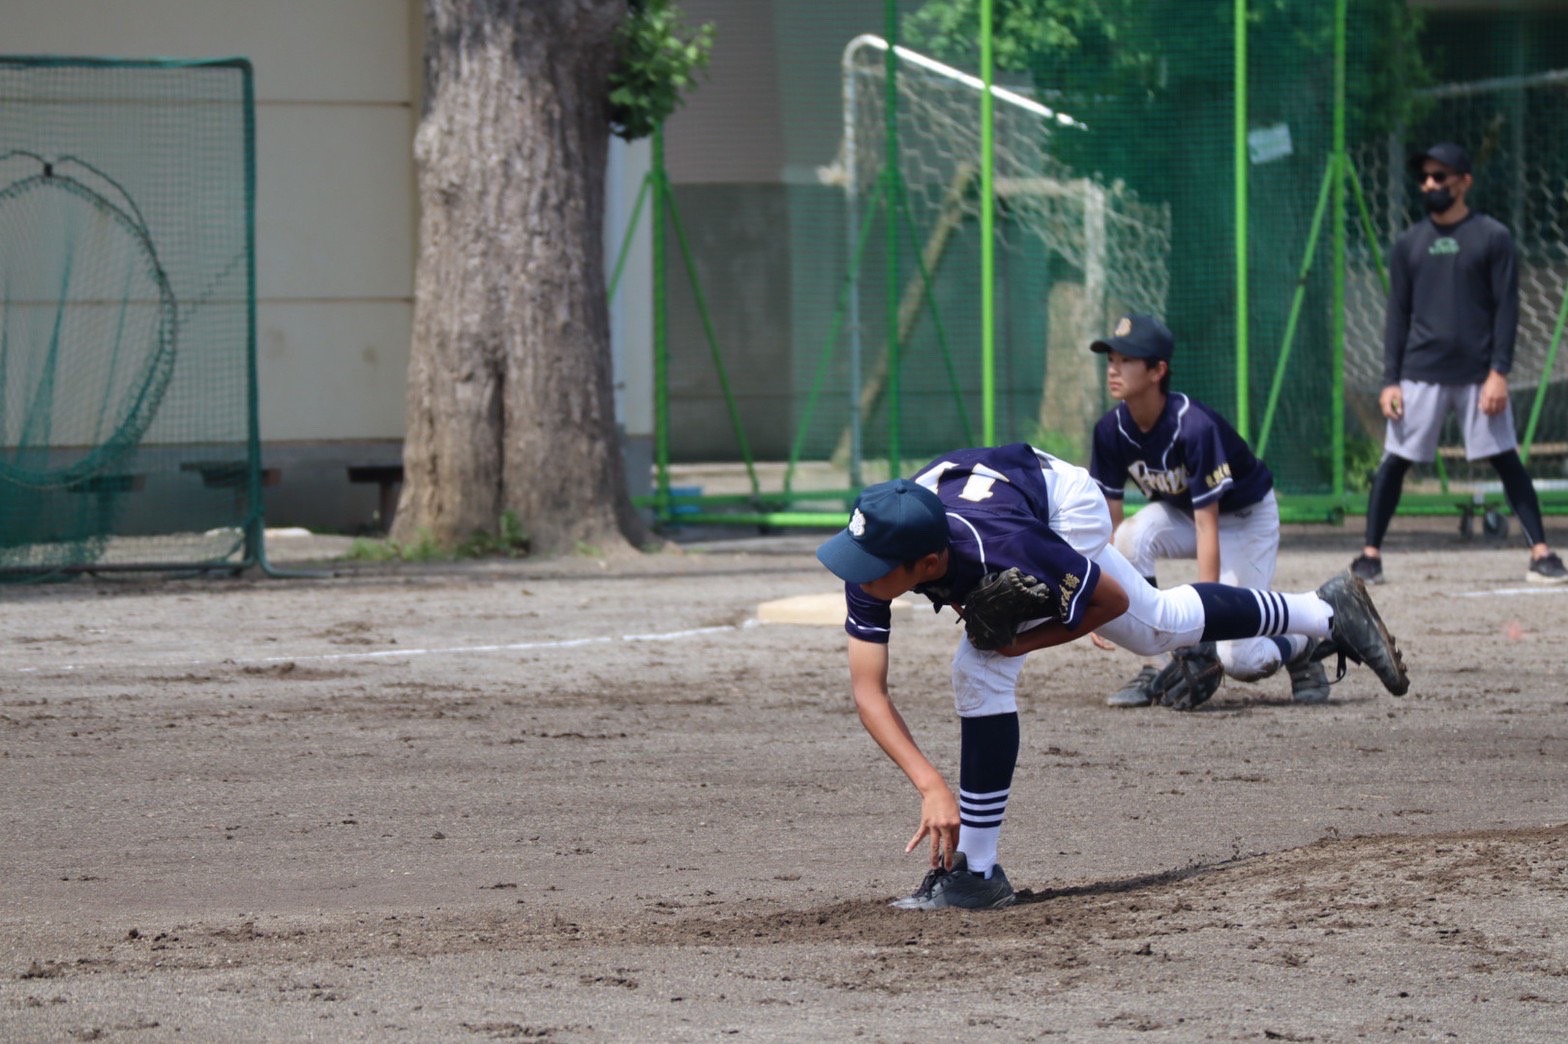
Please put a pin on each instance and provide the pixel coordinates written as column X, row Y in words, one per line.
column 583, row 800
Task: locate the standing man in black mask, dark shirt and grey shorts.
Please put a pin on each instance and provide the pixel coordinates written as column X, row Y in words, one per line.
column 1448, row 347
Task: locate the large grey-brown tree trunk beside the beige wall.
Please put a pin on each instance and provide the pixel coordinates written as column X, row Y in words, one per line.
column 510, row 402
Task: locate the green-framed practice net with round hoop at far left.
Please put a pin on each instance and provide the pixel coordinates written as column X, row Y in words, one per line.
column 128, row 416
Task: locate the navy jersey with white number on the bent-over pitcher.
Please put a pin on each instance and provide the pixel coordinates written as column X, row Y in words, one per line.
column 998, row 518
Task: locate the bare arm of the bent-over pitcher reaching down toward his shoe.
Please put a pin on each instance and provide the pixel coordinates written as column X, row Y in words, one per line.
column 885, row 725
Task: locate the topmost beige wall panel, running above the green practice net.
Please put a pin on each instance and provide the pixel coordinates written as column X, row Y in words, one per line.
column 344, row 51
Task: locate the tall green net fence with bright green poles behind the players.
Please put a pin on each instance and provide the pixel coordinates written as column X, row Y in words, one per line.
column 896, row 234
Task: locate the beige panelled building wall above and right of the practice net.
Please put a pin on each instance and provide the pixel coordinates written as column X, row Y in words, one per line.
column 336, row 103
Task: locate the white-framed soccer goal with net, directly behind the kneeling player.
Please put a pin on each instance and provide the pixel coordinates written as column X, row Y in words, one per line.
column 1072, row 248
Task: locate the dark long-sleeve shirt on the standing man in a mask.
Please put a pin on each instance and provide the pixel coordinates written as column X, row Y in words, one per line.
column 1453, row 305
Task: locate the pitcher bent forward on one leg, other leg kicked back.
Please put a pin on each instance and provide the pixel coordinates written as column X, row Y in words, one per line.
column 1018, row 543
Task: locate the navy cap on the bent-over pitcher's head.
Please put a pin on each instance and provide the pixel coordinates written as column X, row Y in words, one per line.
column 893, row 523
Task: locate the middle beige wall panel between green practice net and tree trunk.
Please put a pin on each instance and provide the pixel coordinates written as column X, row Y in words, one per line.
column 335, row 203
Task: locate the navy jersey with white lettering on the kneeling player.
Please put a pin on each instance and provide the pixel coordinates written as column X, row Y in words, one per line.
column 1191, row 459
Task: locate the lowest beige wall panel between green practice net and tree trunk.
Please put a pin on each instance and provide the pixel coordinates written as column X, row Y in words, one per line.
column 333, row 371
